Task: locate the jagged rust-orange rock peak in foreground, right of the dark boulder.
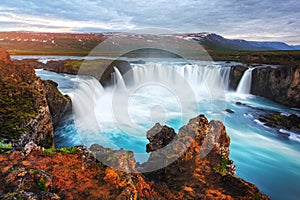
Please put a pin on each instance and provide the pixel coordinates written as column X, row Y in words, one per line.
column 202, row 168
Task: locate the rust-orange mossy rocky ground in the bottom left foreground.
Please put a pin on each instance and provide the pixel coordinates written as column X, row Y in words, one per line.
column 68, row 174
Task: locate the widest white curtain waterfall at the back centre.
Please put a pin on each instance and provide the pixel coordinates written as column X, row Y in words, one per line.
column 201, row 78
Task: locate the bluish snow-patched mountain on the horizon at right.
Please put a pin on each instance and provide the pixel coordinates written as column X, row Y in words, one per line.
column 216, row 42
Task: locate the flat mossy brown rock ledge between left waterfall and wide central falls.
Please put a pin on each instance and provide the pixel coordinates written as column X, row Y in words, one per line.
column 100, row 69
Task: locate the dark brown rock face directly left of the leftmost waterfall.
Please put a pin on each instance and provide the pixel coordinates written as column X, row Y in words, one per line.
column 58, row 104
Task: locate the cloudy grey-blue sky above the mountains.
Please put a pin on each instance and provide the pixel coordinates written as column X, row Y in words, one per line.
column 258, row 20
